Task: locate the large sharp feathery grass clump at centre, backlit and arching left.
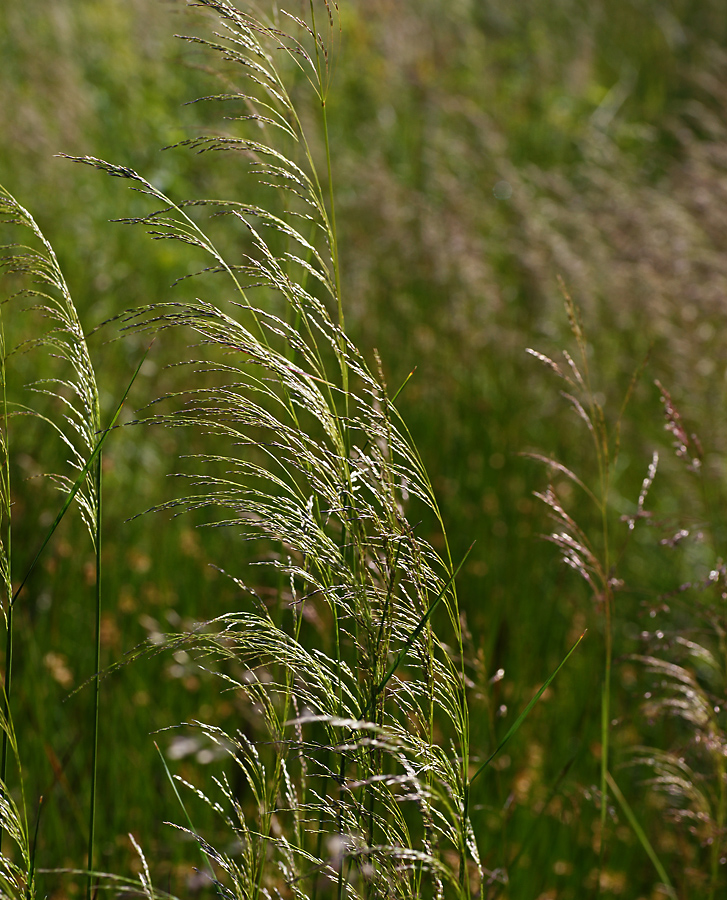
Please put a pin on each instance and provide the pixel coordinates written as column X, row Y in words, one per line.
column 356, row 758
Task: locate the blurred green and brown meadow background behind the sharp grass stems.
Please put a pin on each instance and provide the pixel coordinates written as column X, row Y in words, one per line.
column 480, row 150
